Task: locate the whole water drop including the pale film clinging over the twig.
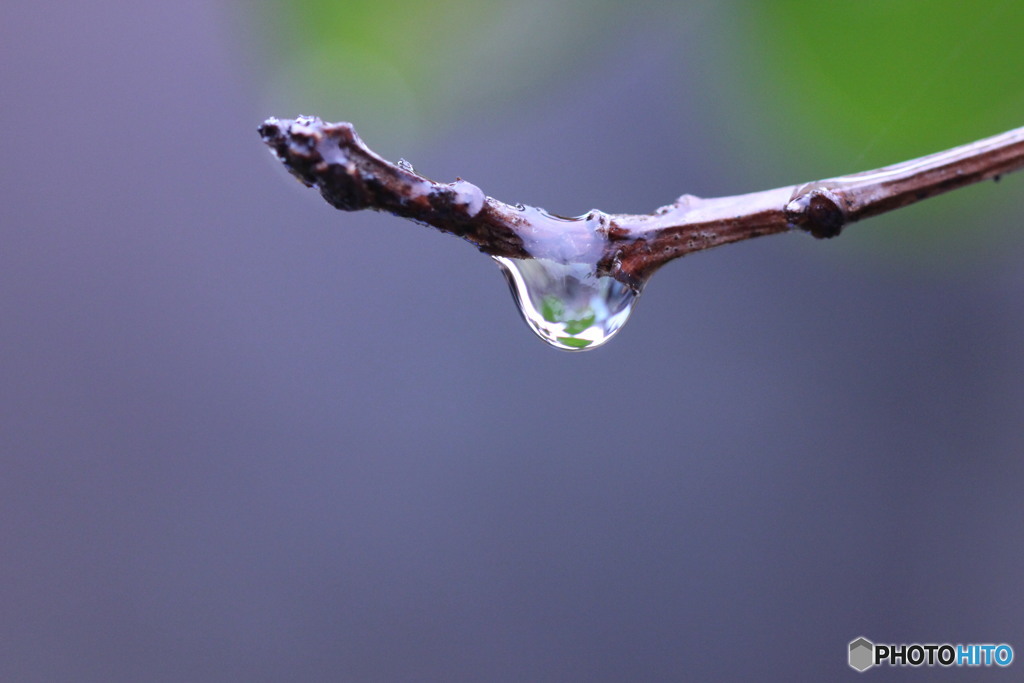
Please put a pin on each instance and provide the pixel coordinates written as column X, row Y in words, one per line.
column 560, row 292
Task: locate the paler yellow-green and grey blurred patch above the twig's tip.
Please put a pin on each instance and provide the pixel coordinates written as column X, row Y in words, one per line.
column 400, row 66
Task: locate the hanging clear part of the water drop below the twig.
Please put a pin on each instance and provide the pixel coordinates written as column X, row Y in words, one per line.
column 569, row 306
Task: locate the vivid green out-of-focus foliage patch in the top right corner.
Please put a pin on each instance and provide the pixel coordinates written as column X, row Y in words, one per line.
column 887, row 80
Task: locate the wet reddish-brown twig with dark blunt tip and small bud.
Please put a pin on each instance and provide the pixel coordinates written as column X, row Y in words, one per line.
column 332, row 158
